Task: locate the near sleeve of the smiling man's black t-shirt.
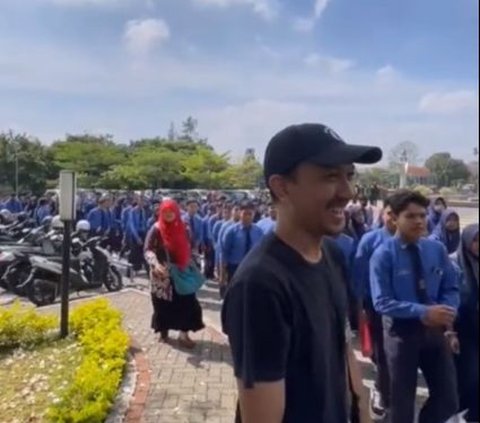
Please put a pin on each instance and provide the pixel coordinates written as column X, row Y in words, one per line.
column 255, row 321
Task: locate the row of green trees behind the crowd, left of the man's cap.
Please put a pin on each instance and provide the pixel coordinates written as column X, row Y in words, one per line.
column 183, row 160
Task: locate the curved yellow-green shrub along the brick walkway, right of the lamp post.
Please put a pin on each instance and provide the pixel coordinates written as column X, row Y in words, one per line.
column 97, row 326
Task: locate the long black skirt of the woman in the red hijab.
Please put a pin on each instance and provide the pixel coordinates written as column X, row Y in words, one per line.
column 183, row 313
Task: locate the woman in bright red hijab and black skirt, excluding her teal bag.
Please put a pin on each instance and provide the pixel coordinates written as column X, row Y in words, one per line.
column 166, row 241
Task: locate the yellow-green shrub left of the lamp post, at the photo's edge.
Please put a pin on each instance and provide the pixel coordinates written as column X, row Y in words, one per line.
column 22, row 326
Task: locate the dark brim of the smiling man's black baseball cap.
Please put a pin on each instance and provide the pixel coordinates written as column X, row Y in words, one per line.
column 349, row 154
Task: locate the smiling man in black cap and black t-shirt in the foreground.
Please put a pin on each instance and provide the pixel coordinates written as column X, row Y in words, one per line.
column 285, row 310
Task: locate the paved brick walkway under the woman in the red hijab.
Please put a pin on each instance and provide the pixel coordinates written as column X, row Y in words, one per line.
column 185, row 386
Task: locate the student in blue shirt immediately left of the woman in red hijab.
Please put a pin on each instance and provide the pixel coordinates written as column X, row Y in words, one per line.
column 136, row 232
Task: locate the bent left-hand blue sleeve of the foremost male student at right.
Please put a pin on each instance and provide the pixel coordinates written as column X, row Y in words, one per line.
column 381, row 284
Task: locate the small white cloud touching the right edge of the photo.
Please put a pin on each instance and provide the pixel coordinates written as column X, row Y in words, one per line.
column 446, row 103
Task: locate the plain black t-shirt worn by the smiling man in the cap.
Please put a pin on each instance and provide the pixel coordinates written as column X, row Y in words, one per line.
column 285, row 319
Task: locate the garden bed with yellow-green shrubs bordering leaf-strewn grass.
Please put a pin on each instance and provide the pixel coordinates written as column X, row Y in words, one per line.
column 74, row 380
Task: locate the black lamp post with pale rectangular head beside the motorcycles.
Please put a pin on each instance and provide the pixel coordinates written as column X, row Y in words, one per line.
column 68, row 187
